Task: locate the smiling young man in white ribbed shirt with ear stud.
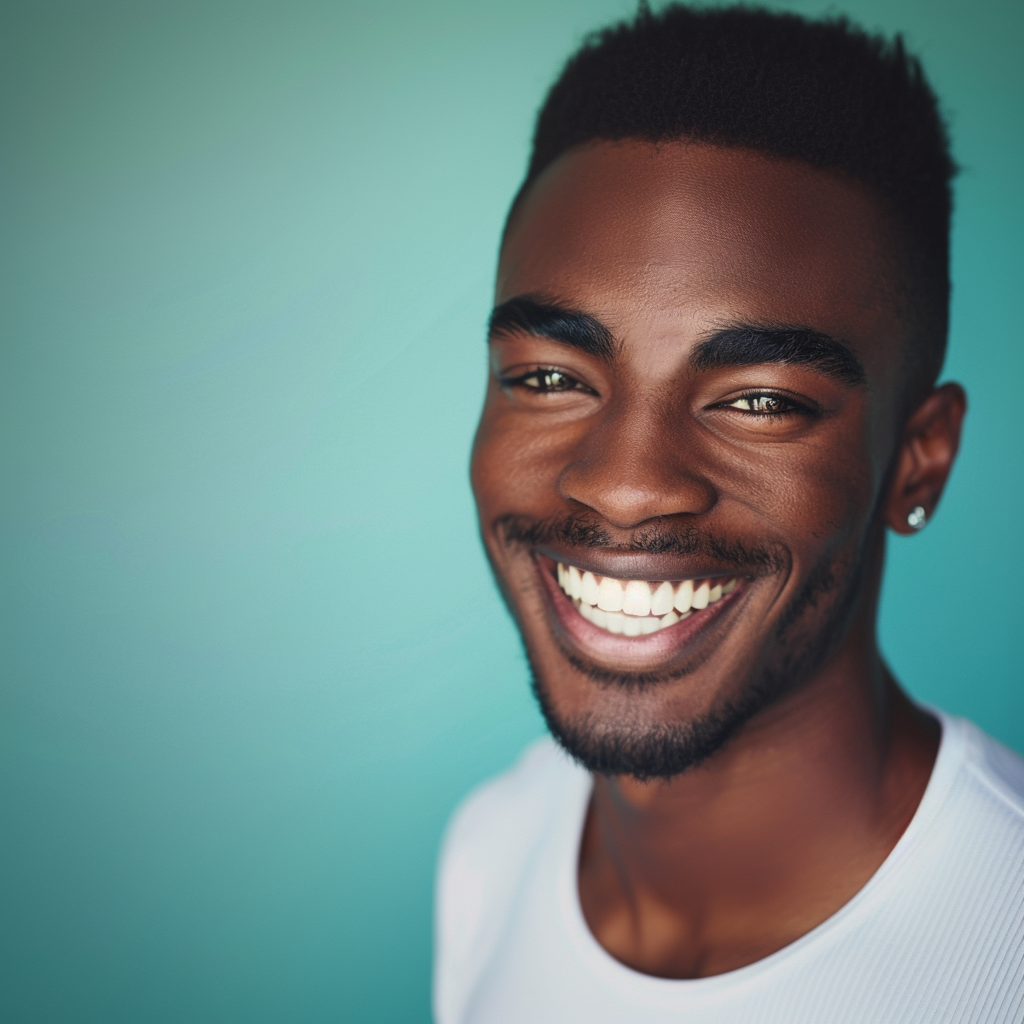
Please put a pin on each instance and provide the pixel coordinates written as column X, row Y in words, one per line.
column 721, row 311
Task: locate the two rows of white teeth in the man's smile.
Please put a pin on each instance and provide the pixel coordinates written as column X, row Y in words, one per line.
column 635, row 607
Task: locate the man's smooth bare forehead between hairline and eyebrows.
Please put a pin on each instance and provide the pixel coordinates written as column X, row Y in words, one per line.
column 685, row 234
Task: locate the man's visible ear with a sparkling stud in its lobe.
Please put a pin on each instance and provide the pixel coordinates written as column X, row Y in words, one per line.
column 926, row 456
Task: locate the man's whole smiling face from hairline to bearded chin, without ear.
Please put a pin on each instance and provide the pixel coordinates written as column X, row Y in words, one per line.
column 690, row 441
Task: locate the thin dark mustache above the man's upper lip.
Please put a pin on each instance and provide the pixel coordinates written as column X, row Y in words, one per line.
column 584, row 530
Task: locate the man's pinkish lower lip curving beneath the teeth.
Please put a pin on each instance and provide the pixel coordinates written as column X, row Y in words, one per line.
column 650, row 650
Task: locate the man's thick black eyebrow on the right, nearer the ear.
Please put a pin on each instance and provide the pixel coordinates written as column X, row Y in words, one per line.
column 746, row 346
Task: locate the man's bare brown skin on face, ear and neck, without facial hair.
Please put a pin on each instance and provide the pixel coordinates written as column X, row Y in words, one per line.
column 726, row 864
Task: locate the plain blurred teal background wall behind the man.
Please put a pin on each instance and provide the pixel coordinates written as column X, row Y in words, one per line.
column 251, row 653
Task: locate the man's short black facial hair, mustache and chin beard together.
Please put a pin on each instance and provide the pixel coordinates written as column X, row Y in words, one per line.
column 810, row 627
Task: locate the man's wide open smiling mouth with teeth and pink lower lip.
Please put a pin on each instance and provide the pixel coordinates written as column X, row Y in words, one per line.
column 646, row 620
